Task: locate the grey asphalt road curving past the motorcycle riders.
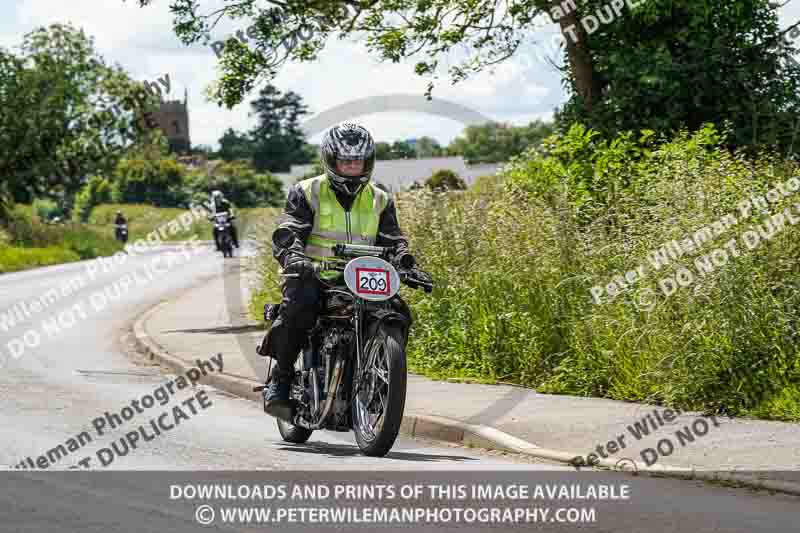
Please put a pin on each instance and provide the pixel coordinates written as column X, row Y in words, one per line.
column 66, row 374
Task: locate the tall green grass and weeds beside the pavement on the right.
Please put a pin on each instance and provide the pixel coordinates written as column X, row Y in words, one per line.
column 514, row 265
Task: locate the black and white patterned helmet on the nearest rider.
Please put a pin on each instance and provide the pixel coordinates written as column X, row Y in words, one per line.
column 347, row 141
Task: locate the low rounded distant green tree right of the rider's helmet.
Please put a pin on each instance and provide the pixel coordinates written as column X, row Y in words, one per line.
column 495, row 142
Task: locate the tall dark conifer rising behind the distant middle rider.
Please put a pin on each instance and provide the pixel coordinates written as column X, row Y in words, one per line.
column 278, row 138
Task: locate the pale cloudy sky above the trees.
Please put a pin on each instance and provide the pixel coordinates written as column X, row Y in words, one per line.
column 142, row 41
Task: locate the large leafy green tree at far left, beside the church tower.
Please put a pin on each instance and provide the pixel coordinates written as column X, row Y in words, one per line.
column 66, row 114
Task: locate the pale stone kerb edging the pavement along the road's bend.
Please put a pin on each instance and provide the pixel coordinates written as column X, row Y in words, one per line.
column 454, row 431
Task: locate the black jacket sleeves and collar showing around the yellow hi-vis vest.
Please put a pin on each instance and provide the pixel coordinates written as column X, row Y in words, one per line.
column 299, row 217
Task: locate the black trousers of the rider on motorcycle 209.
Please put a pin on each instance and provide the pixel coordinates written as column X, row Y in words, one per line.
column 303, row 299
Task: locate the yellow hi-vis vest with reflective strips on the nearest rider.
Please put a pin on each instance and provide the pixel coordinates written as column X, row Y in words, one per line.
column 334, row 225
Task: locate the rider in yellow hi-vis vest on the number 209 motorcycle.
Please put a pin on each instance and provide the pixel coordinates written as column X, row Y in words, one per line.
column 341, row 205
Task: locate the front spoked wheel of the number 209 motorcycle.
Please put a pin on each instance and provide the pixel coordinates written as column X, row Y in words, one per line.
column 380, row 397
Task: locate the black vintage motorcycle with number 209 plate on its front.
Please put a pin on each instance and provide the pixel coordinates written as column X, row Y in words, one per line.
column 352, row 373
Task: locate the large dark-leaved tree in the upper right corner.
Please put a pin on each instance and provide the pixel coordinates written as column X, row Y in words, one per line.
column 685, row 63
